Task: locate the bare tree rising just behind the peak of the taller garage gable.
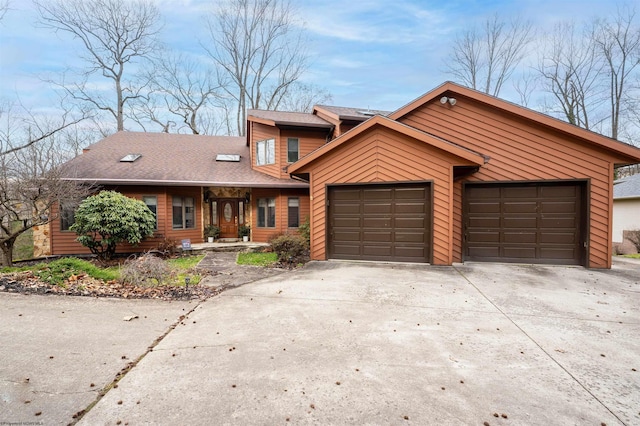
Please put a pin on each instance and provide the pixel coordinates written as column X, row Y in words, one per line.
column 485, row 58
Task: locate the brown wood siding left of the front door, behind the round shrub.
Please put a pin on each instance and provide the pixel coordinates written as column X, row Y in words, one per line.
column 64, row 242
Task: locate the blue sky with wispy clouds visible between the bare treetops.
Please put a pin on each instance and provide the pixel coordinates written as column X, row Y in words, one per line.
column 379, row 54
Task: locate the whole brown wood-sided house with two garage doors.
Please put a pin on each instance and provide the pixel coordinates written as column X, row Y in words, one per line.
column 454, row 175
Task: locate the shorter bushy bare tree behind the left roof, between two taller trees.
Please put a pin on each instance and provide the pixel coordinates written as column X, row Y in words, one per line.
column 185, row 89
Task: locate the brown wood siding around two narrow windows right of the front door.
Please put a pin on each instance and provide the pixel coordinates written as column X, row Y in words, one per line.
column 281, row 197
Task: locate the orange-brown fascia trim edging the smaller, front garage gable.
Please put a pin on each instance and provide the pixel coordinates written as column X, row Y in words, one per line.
column 428, row 139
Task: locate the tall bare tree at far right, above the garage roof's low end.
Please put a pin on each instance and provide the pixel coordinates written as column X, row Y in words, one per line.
column 619, row 45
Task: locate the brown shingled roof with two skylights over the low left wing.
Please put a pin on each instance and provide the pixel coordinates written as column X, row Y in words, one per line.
column 170, row 159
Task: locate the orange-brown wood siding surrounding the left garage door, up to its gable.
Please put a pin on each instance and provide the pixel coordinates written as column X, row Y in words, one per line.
column 384, row 155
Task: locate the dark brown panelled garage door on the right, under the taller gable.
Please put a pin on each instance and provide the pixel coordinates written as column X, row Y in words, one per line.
column 533, row 222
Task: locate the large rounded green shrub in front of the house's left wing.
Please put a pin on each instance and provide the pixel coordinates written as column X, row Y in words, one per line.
column 108, row 218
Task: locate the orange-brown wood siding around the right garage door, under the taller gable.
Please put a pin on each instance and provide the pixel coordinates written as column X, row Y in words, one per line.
column 519, row 150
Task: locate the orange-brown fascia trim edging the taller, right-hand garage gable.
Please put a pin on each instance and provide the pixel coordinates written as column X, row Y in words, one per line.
column 626, row 153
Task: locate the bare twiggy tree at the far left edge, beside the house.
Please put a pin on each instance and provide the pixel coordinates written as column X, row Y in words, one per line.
column 30, row 178
